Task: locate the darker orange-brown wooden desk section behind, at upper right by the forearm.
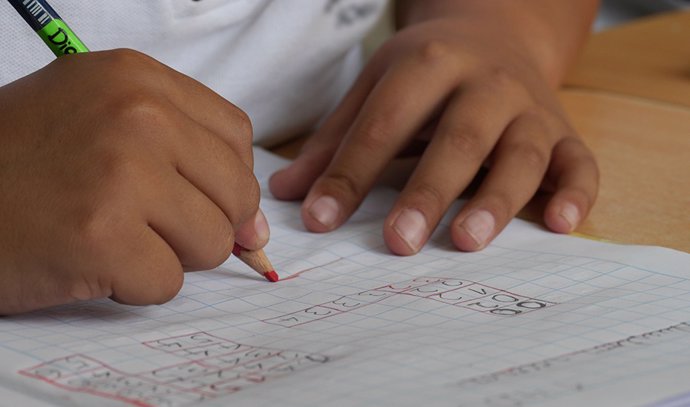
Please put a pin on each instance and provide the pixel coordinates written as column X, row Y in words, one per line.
column 649, row 58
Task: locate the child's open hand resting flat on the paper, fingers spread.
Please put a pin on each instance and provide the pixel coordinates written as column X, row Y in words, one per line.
column 480, row 99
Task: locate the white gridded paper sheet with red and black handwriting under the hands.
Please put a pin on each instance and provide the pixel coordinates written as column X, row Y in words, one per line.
column 535, row 319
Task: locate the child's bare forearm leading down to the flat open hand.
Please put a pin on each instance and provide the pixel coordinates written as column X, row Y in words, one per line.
column 552, row 31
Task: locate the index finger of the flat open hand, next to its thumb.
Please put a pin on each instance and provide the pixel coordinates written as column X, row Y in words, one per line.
column 398, row 107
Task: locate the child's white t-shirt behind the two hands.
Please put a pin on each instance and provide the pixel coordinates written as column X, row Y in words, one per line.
column 285, row 62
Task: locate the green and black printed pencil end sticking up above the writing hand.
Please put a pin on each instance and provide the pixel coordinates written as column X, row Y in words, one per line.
column 49, row 26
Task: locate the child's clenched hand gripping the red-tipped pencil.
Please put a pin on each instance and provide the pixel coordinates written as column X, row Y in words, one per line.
column 116, row 174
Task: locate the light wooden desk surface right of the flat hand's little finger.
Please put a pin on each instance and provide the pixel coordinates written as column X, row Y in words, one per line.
column 643, row 150
